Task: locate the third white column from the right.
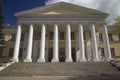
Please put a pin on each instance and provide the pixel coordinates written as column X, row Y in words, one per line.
column 81, row 44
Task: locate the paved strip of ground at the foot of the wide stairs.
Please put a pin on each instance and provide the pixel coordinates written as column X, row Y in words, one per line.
column 59, row 78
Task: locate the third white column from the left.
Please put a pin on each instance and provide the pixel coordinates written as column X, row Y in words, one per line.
column 42, row 45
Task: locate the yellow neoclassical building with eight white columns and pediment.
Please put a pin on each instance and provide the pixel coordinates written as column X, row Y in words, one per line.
column 59, row 32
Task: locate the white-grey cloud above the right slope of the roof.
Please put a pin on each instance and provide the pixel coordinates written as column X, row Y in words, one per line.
column 109, row 6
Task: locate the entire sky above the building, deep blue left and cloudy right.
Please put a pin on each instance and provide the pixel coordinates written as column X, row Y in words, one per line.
column 10, row 7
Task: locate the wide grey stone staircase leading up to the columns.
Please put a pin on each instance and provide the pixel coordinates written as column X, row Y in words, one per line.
column 78, row 69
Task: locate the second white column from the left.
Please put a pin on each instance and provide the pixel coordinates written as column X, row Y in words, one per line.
column 29, row 45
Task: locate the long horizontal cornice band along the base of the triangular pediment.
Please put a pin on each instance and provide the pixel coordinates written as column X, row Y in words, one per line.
column 62, row 16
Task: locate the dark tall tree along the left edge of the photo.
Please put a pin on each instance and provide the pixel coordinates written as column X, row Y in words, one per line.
column 1, row 27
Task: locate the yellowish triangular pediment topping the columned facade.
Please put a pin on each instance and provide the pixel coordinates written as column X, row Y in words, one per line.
column 60, row 8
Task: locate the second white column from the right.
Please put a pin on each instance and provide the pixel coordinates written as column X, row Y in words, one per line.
column 94, row 44
